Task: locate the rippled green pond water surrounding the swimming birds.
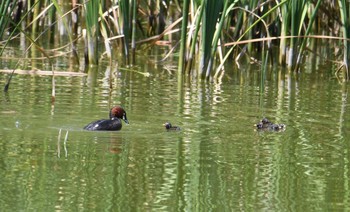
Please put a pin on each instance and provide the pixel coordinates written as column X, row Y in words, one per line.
column 217, row 162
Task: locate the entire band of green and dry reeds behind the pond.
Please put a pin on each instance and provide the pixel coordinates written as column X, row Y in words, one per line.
column 206, row 34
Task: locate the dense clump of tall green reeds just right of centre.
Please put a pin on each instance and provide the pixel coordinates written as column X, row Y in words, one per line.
column 206, row 22
